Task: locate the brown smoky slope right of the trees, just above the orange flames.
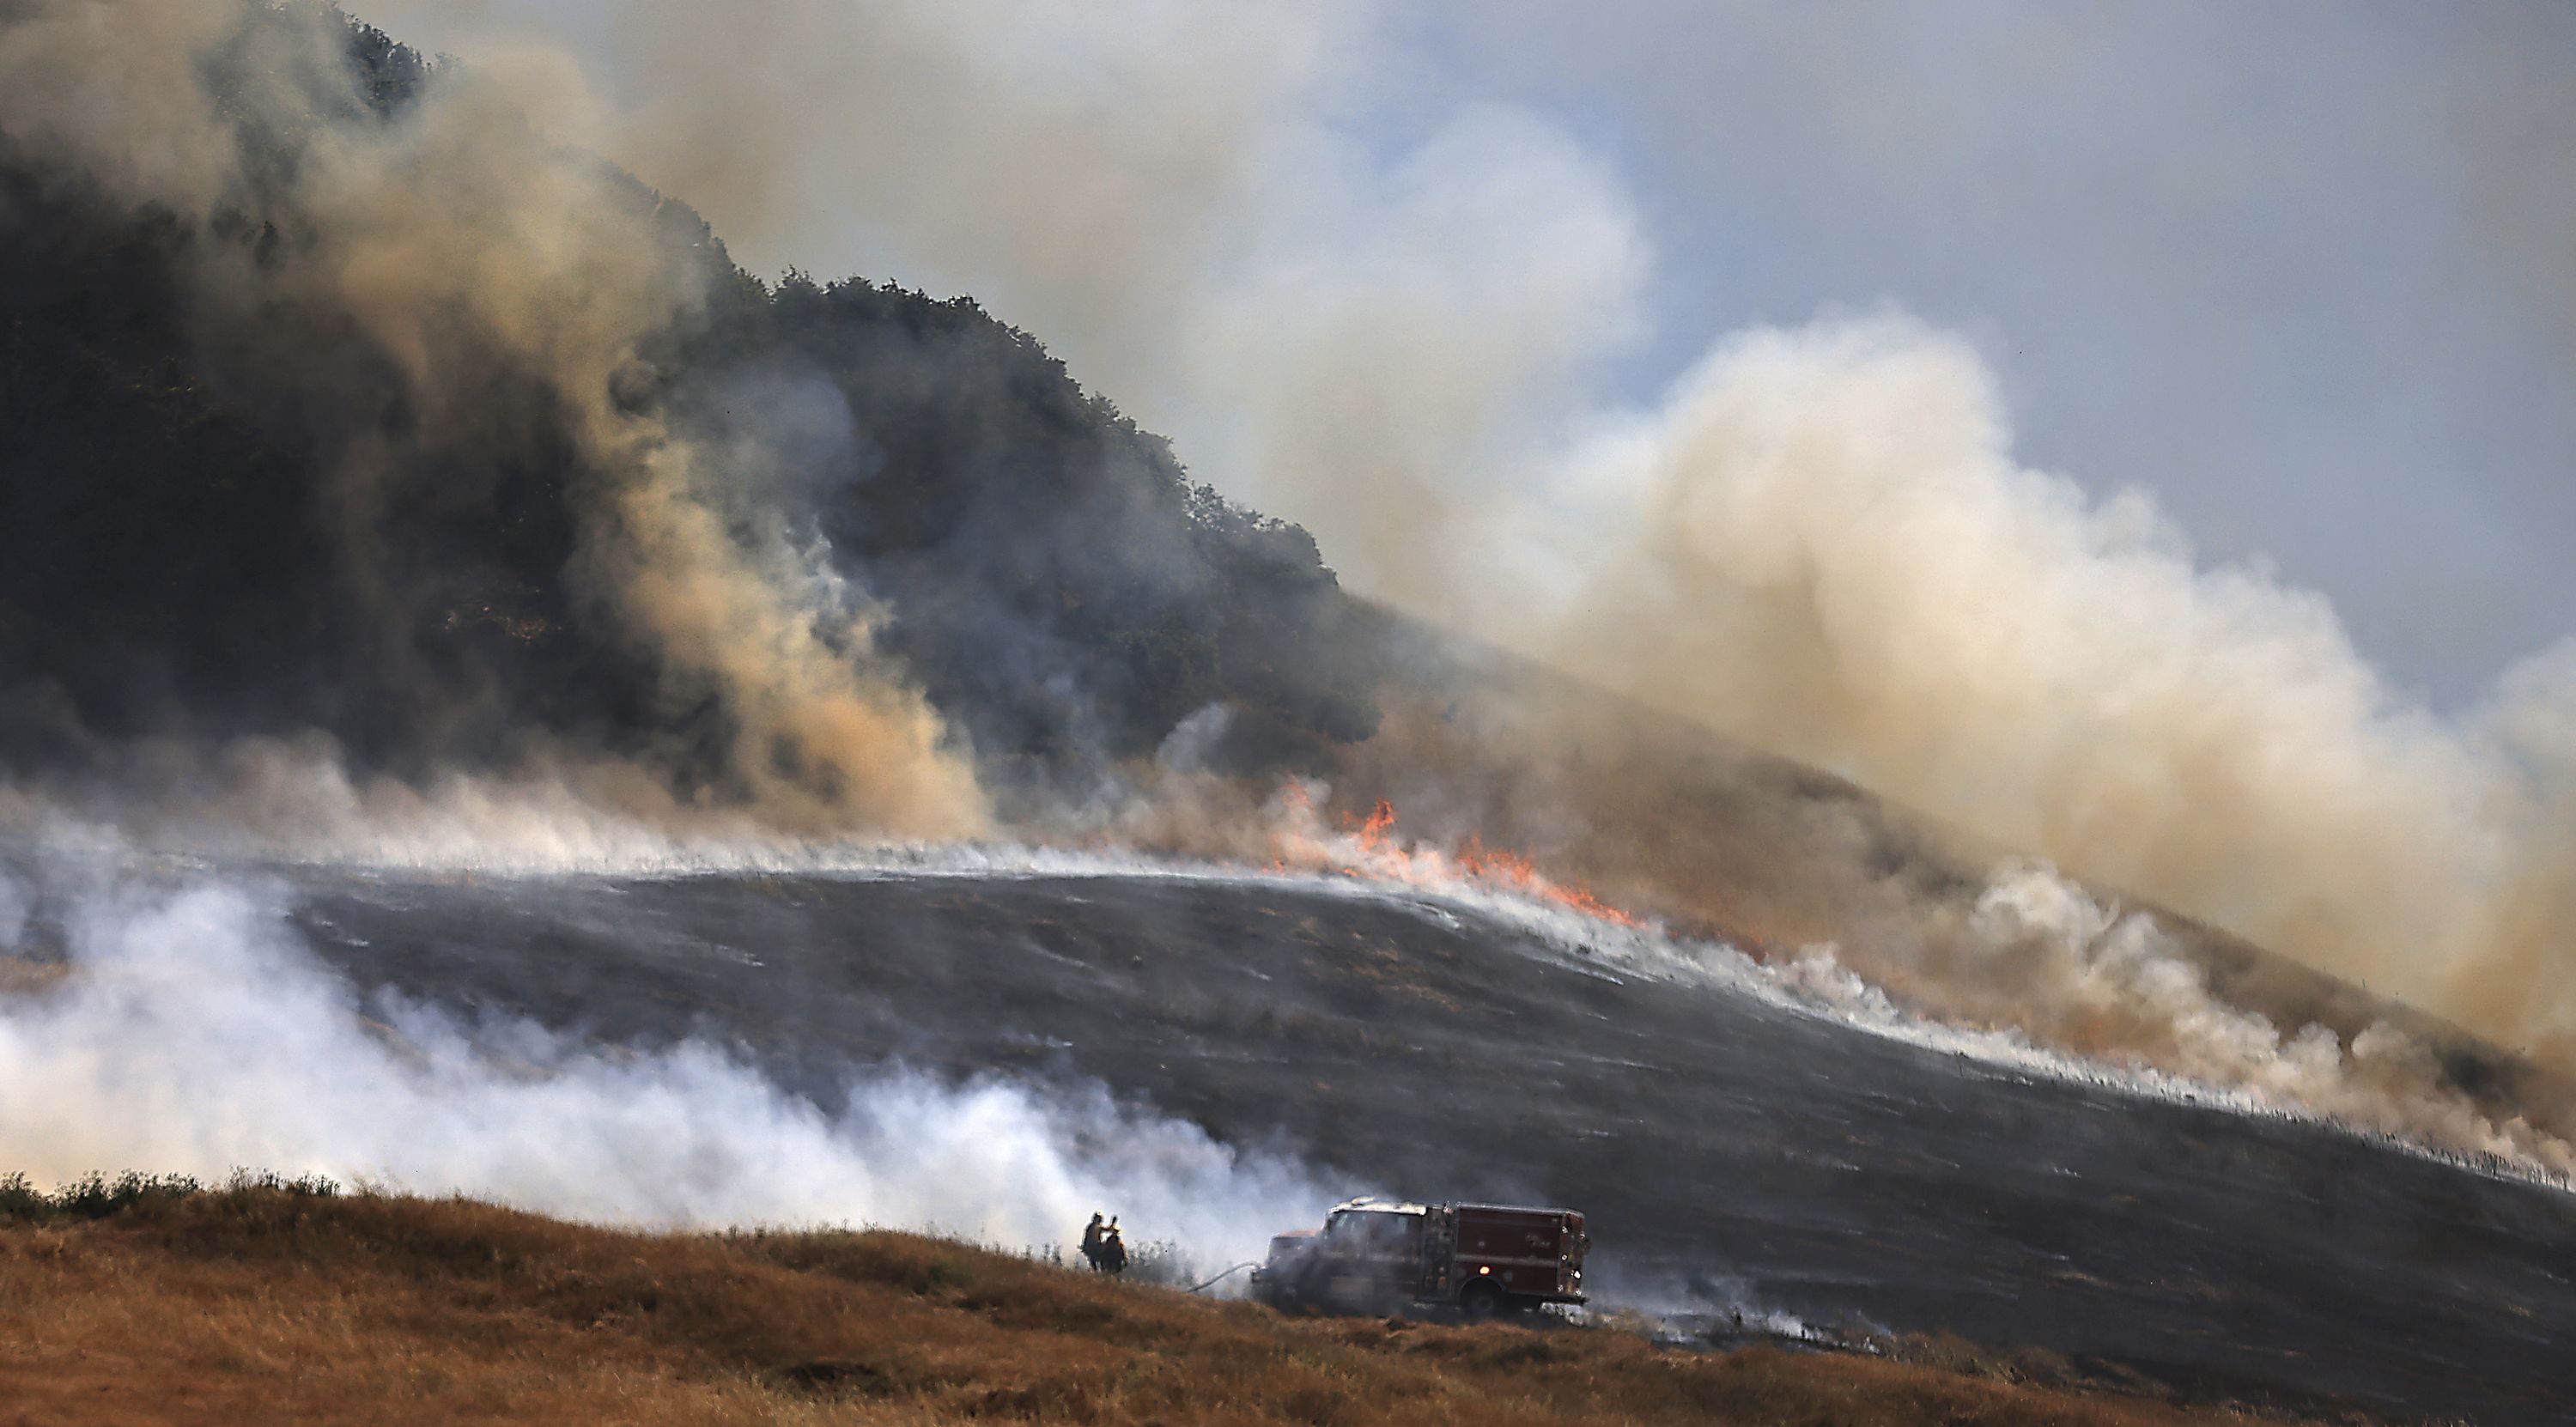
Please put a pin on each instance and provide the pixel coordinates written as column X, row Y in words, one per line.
column 1774, row 856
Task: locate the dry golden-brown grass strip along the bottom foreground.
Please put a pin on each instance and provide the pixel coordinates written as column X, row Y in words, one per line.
column 274, row 1307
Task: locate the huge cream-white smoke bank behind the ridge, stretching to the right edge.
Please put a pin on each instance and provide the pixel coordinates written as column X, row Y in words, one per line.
column 1387, row 318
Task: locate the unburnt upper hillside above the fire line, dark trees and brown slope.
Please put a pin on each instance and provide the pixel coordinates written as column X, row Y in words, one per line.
column 336, row 457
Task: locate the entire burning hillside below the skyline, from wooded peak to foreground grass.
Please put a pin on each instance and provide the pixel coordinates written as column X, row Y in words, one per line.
column 460, row 630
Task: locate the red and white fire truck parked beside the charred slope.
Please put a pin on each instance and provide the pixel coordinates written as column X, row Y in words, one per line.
column 1385, row 1256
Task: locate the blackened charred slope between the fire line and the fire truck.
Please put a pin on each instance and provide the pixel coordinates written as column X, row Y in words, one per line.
column 1735, row 1153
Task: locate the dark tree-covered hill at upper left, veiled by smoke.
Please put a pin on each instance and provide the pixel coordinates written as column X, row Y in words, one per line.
column 259, row 486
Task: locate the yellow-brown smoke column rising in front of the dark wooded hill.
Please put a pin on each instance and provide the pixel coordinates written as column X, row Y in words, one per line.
column 457, row 220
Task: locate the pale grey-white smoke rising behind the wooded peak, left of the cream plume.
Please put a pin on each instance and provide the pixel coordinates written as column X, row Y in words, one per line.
column 1356, row 328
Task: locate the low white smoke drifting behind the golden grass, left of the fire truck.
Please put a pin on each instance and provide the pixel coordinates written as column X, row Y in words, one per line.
column 184, row 1029
